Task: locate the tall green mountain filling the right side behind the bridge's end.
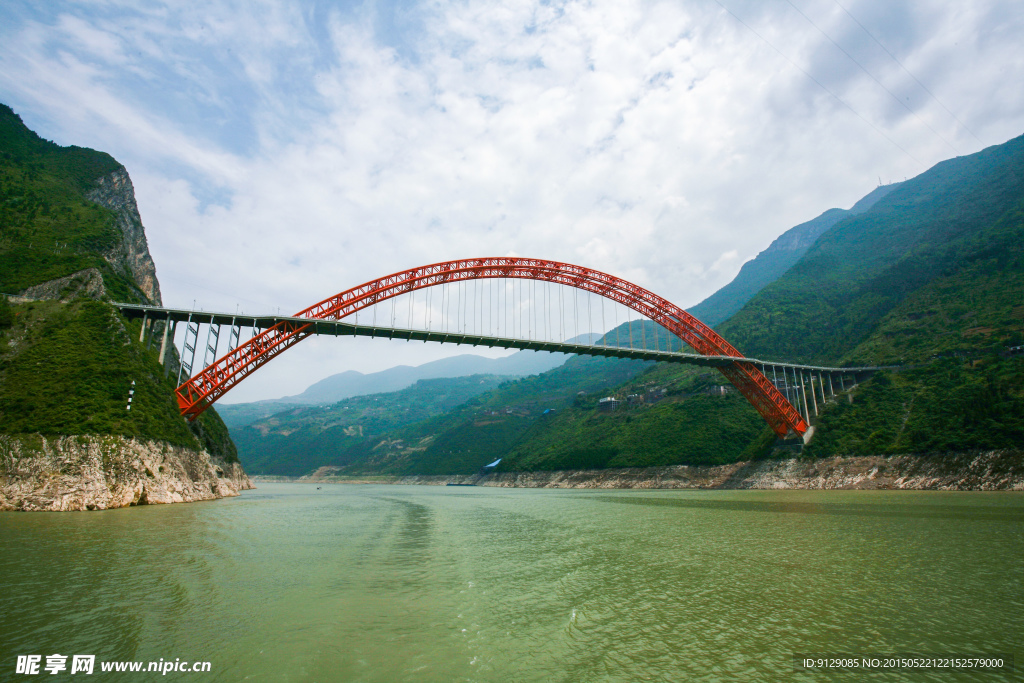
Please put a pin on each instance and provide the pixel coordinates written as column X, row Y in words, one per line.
column 931, row 279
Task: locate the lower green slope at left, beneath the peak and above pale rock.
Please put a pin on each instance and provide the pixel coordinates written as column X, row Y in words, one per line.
column 67, row 369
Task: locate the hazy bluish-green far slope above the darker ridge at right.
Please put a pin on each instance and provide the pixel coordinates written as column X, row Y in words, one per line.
column 961, row 219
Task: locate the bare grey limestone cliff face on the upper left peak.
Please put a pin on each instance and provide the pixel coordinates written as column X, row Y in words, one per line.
column 116, row 193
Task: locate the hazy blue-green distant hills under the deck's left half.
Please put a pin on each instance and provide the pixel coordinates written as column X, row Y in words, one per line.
column 394, row 432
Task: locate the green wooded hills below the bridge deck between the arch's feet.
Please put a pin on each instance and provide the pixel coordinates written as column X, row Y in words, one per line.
column 540, row 422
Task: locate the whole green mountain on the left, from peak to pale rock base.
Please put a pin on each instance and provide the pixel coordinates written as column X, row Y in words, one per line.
column 72, row 240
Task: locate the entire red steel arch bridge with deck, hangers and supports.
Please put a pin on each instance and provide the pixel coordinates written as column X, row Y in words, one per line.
column 507, row 303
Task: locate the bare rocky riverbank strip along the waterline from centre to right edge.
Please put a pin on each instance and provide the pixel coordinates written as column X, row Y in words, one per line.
column 995, row 471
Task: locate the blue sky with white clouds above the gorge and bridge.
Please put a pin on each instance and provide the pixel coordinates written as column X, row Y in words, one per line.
column 283, row 152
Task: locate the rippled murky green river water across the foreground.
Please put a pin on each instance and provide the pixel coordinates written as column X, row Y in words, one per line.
column 389, row 583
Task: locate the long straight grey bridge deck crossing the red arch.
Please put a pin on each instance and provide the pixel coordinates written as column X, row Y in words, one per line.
column 345, row 329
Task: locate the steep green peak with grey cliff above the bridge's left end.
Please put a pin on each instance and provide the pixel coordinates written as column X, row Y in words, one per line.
column 68, row 214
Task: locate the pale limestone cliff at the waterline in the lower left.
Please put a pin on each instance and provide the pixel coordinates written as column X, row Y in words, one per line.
column 101, row 473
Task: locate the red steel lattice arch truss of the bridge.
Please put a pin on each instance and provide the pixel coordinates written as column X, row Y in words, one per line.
column 207, row 387
